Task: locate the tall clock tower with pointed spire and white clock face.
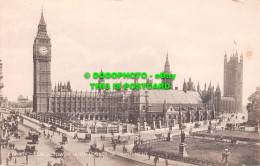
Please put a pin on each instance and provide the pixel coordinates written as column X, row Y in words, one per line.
column 41, row 69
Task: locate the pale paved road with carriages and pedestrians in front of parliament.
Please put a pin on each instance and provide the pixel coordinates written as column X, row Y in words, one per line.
column 75, row 153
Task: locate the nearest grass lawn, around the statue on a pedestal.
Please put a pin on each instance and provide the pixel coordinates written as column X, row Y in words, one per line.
column 211, row 150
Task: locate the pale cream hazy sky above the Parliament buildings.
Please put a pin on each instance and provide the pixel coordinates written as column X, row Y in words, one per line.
column 130, row 36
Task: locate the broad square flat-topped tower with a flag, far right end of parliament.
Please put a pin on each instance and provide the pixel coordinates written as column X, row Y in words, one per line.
column 233, row 79
